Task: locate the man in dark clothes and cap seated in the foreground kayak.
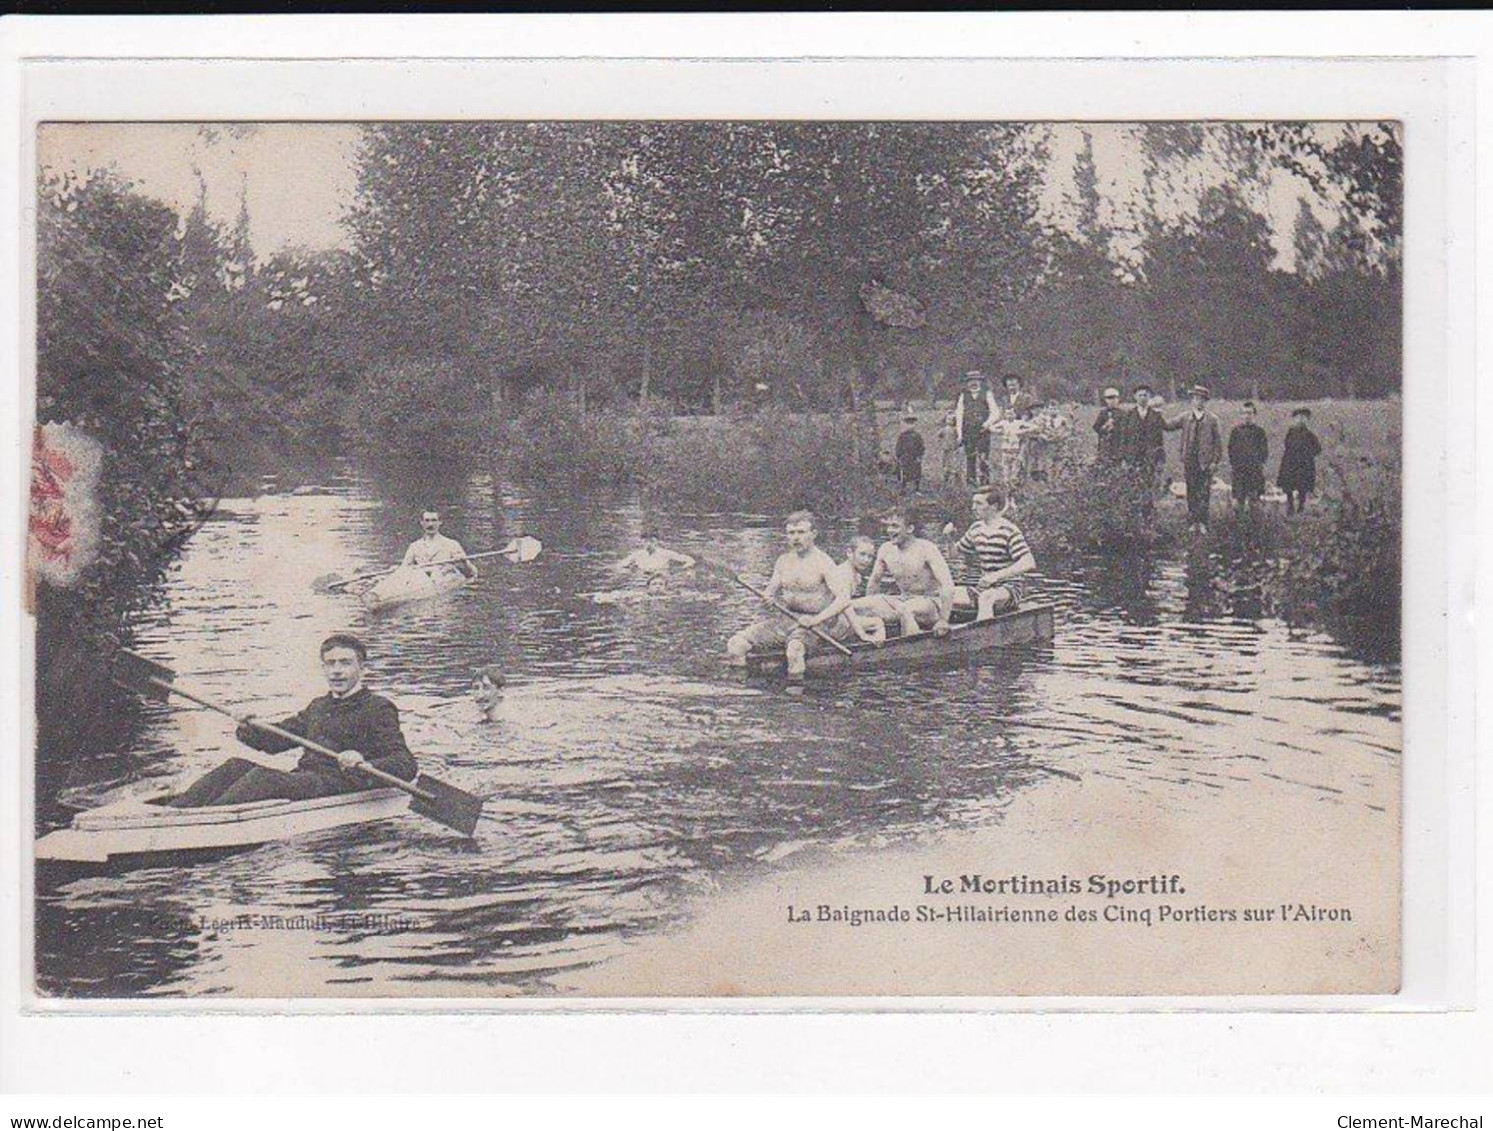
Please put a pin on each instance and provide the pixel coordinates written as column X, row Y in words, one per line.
column 352, row 720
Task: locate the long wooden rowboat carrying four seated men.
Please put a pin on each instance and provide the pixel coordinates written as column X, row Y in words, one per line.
column 1023, row 626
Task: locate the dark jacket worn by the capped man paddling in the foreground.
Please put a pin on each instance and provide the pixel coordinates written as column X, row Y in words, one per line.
column 362, row 721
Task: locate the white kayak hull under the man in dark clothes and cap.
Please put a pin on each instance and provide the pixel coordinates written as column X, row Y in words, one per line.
column 149, row 827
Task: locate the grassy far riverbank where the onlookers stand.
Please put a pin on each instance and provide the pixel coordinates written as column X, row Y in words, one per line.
column 1340, row 562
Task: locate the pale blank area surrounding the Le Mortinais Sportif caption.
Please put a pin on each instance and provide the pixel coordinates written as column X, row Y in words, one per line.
column 1325, row 872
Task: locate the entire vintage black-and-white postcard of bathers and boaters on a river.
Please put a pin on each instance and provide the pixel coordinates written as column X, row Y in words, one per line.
column 734, row 559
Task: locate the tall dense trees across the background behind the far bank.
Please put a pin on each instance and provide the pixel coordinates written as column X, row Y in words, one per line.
column 725, row 266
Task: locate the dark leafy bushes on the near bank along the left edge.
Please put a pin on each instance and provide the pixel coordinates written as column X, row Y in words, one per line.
column 111, row 360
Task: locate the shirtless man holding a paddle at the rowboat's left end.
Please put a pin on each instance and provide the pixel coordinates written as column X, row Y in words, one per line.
column 807, row 581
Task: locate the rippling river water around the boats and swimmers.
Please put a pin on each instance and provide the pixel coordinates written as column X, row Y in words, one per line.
column 632, row 775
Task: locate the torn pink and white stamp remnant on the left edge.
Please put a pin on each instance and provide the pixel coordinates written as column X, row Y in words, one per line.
column 63, row 526
